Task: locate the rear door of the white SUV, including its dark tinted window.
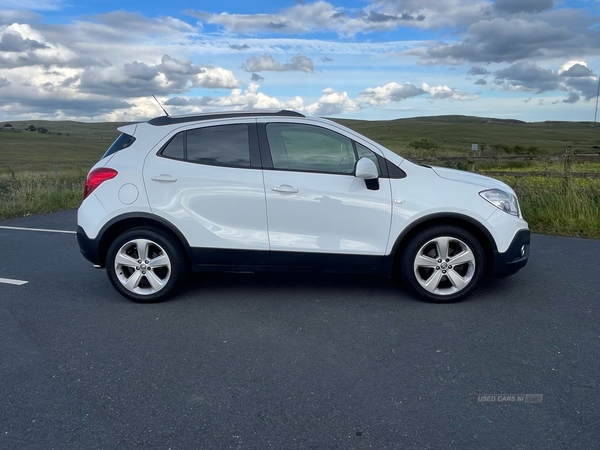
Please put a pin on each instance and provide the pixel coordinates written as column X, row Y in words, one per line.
column 207, row 181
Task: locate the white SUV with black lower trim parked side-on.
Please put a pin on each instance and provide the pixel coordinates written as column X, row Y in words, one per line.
column 276, row 190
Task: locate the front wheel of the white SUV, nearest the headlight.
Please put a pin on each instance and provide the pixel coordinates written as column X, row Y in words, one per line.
column 443, row 264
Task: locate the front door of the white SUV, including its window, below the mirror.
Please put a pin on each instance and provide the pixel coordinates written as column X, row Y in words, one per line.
column 318, row 212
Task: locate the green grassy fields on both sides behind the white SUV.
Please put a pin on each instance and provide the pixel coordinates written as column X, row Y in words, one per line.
column 42, row 172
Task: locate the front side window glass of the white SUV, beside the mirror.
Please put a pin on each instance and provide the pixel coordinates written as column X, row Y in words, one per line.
column 309, row 148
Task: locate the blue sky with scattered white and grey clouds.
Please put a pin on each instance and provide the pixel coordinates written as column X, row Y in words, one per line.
column 103, row 60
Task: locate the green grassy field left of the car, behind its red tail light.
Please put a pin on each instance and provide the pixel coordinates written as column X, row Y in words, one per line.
column 44, row 172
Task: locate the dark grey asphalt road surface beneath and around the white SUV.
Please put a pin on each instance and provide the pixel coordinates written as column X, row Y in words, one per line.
column 241, row 361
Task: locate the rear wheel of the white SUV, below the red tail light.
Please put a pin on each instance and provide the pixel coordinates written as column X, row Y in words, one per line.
column 146, row 265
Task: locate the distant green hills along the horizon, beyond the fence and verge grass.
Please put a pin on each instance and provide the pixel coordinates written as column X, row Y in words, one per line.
column 79, row 144
